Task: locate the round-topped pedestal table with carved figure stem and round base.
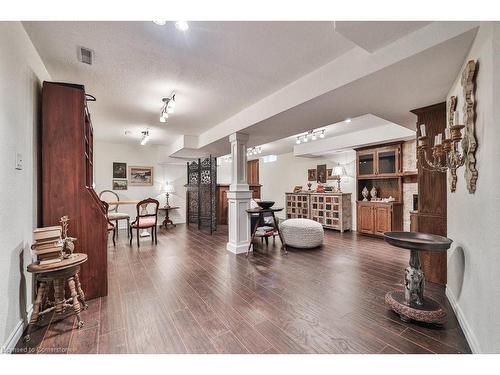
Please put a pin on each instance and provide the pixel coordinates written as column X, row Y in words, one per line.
column 410, row 303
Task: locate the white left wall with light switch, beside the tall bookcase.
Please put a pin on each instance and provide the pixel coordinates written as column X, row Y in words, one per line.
column 21, row 76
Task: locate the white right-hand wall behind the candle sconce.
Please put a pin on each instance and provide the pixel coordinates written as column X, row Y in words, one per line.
column 473, row 219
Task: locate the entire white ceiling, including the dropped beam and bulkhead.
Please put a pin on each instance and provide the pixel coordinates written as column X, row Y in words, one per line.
column 270, row 80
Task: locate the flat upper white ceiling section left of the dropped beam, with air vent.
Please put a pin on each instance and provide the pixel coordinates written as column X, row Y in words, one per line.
column 216, row 68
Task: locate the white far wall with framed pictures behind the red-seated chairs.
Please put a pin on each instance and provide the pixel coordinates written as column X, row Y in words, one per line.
column 106, row 153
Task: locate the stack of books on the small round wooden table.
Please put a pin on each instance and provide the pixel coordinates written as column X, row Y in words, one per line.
column 48, row 245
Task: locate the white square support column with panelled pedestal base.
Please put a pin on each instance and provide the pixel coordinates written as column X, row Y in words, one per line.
column 238, row 196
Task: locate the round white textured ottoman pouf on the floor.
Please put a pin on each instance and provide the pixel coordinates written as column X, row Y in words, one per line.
column 302, row 233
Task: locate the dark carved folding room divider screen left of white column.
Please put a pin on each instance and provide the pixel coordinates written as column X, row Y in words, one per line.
column 201, row 193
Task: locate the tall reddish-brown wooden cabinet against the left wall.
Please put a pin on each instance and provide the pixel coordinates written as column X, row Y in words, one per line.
column 67, row 179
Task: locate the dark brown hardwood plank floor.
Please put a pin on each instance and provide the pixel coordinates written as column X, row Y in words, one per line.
column 189, row 295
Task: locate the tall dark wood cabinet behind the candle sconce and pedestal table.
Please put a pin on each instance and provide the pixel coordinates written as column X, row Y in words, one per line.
column 431, row 214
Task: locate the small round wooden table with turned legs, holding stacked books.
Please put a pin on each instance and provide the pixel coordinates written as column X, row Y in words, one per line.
column 58, row 275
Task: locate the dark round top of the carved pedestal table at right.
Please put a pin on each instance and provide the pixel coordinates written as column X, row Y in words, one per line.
column 418, row 241
